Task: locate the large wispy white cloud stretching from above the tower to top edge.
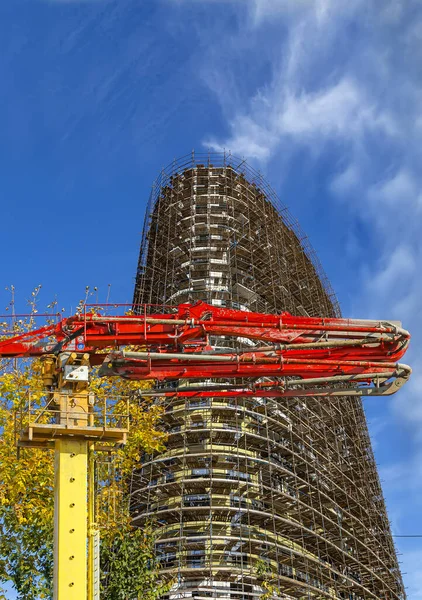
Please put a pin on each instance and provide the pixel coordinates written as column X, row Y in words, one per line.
column 295, row 105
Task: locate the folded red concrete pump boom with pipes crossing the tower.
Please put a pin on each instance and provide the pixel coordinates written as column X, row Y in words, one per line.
column 177, row 346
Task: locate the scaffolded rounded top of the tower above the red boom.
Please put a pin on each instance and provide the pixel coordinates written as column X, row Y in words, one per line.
column 239, row 244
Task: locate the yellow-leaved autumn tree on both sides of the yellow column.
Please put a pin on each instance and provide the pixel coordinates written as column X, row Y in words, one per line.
column 27, row 499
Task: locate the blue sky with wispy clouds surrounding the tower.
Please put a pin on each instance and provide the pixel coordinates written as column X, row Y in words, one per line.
column 324, row 97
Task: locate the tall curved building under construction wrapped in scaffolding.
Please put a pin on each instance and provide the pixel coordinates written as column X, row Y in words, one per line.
column 254, row 496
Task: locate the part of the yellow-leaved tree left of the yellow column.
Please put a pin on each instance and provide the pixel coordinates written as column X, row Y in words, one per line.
column 26, row 495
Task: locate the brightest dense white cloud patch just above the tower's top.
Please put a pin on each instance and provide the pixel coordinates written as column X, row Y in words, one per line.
column 282, row 115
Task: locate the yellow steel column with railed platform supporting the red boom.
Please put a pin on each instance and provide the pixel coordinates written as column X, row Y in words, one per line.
column 72, row 422
